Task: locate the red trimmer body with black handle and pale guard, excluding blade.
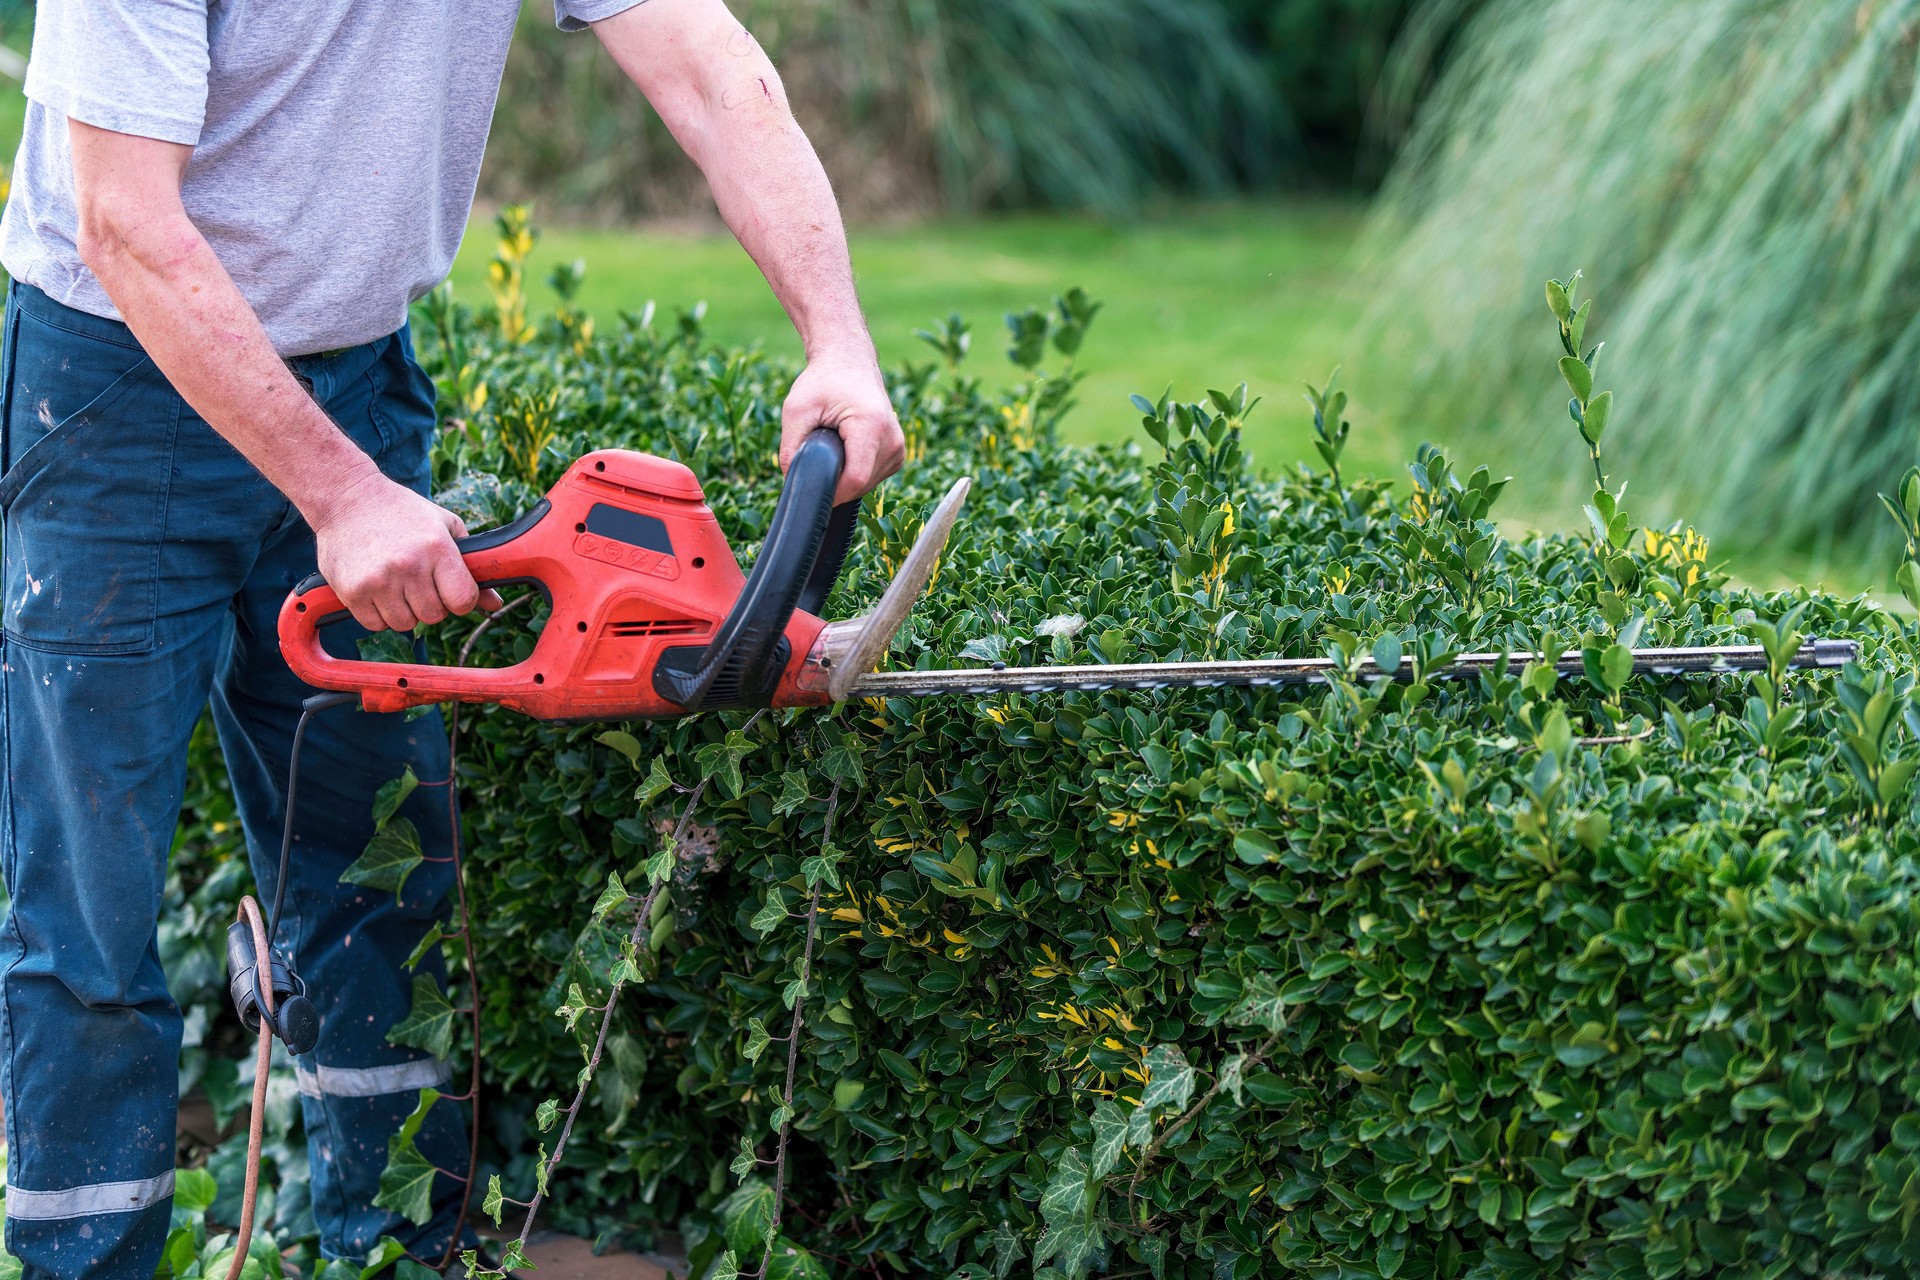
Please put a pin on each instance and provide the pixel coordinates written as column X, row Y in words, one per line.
column 650, row 611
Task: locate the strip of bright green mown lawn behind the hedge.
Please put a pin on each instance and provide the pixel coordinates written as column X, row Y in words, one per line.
column 1199, row 300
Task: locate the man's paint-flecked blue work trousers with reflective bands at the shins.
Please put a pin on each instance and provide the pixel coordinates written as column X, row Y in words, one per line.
column 145, row 565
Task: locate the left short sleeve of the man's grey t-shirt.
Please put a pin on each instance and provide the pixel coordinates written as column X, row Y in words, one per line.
column 132, row 66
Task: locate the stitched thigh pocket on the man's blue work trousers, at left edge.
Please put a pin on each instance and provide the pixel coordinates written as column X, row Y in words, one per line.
column 89, row 437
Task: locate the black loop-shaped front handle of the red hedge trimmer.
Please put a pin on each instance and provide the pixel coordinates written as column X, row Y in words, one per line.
column 802, row 557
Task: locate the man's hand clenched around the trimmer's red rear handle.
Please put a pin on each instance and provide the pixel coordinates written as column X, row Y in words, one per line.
column 389, row 556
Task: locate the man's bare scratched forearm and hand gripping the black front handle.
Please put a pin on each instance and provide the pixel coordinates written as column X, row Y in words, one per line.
column 725, row 103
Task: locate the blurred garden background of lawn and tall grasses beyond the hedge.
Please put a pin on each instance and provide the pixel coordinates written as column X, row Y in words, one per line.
column 1262, row 189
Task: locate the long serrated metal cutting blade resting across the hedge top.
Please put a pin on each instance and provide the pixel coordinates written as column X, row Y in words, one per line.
column 1704, row 661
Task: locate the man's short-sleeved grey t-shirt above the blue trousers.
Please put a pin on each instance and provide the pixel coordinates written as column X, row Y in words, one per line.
column 337, row 143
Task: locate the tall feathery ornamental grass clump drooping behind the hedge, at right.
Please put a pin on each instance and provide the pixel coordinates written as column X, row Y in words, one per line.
column 1742, row 174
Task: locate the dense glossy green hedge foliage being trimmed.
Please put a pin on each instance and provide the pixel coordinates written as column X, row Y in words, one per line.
column 1518, row 976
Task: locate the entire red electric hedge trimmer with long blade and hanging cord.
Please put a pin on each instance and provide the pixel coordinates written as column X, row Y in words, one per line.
column 652, row 617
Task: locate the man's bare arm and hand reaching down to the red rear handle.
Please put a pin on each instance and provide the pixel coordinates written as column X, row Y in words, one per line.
column 385, row 550
